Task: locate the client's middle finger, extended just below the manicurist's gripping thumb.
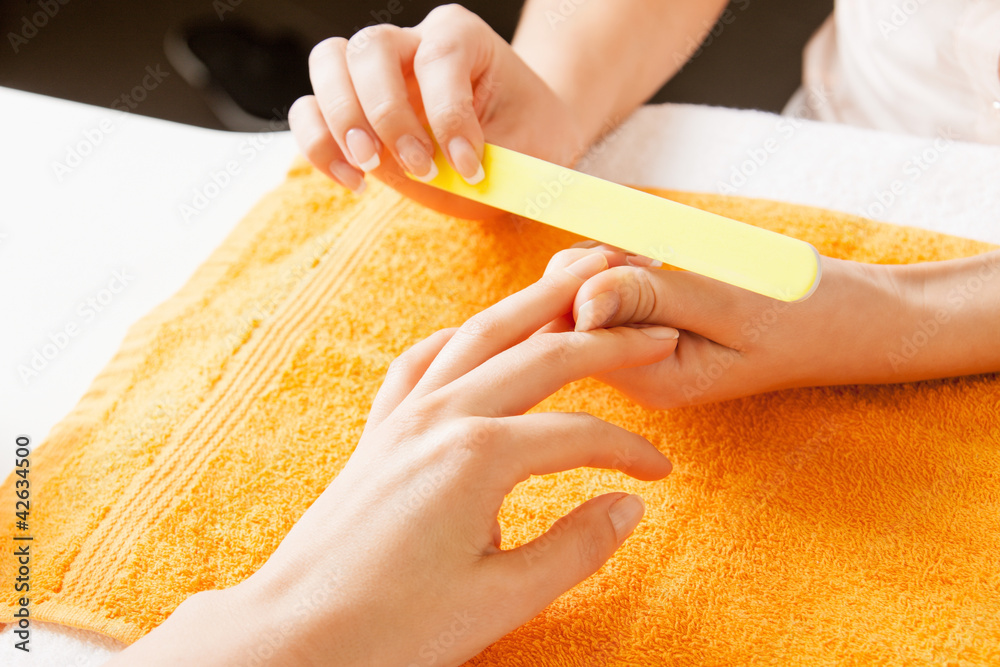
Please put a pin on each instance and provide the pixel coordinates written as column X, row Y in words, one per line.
column 517, row 379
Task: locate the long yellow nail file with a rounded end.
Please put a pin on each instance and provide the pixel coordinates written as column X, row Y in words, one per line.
column 756, row 259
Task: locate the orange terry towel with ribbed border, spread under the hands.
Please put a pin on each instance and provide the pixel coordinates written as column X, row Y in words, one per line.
column 830, row 525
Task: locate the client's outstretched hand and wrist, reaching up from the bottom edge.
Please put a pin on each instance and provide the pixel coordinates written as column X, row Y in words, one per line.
column 399, row 562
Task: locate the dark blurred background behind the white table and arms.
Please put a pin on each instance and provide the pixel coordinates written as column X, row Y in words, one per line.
column 94, row 51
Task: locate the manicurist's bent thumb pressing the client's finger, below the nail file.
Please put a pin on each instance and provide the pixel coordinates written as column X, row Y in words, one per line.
column 679, row 299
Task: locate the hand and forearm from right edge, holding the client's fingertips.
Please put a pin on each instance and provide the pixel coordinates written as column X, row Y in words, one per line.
column 865, row 323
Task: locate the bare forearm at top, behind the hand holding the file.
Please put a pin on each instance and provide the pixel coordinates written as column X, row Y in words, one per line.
column 606, row 57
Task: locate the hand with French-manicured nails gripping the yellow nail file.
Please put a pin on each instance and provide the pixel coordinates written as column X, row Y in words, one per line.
column 375, row 93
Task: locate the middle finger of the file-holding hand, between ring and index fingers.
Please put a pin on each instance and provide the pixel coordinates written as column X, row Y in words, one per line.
column 376, row 57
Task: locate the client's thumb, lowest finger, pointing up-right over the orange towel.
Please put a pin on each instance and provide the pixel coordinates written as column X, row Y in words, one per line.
column 575, row 547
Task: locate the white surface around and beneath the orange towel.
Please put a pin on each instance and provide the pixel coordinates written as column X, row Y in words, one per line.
column 66, row 233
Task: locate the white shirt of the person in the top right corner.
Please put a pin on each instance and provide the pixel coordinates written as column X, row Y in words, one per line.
column 926, row 67
